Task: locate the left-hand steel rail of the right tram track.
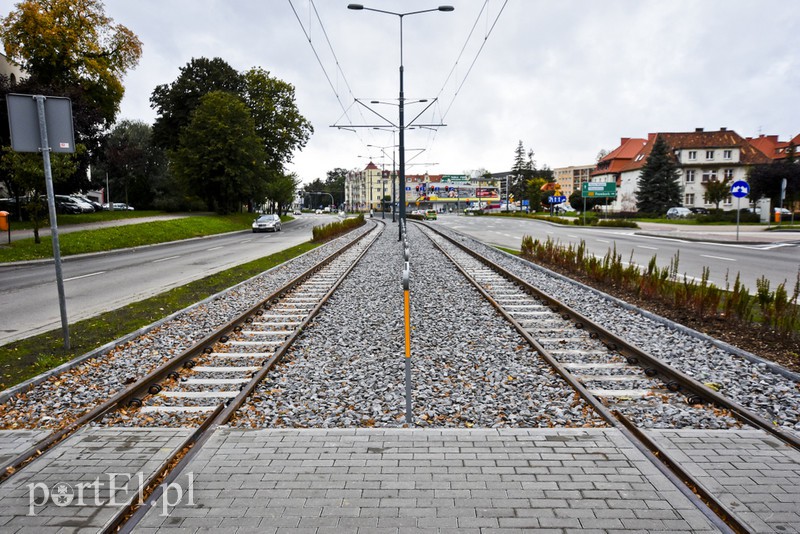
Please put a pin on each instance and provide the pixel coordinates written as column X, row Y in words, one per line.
column 707, row 504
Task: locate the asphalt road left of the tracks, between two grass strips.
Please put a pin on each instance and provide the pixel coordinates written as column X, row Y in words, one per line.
column 101, row 282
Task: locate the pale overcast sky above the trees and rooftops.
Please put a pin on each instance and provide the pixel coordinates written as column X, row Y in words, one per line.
column 568, row 78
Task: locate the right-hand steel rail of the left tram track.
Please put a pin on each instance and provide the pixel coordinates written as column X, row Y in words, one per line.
column 127, row 518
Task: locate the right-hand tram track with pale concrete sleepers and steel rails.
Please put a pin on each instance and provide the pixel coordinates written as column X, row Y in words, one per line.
column 613, row 376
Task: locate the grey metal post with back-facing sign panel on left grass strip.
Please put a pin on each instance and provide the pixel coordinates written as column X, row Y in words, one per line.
column 55, row 133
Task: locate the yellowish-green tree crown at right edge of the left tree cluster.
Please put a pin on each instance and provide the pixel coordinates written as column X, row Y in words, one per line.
column 278, row 121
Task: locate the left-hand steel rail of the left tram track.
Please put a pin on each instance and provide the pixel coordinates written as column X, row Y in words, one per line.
column 134, row 391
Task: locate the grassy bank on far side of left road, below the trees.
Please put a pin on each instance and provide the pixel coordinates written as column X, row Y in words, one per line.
column 136, row 235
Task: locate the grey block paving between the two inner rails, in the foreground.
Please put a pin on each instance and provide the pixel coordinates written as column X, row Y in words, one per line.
column 369, row 480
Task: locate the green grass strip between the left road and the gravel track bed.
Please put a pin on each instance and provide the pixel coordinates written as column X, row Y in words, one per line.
column 26, row 358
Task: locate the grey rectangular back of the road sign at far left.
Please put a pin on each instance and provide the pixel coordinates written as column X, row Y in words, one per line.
column 23, row 118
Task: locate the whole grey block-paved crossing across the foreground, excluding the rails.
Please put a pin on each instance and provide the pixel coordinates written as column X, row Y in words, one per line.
column 404, row 480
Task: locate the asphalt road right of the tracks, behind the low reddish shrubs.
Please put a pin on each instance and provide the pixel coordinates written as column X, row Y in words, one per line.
column 775, row 256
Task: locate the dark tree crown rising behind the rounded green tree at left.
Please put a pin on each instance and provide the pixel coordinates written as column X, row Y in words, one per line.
column 174, row 103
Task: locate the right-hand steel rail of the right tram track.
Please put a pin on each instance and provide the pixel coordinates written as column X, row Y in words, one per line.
column 638, row 355
